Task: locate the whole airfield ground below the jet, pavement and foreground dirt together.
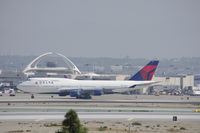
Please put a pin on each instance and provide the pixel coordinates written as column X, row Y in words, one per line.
column 21, row 113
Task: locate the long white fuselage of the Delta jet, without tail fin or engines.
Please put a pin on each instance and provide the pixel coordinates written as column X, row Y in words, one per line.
column 41, row 85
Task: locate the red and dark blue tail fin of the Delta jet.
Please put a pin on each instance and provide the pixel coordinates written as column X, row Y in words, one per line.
column 147, row 72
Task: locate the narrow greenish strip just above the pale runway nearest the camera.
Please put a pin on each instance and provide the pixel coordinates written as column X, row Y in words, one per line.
column 92, row 109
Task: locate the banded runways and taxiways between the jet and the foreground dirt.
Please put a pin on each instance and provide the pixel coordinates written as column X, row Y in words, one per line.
column 102, row 107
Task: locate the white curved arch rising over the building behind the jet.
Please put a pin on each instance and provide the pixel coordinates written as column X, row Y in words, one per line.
column 33, row 64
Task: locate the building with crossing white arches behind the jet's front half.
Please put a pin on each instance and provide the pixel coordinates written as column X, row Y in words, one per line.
column 51, row 64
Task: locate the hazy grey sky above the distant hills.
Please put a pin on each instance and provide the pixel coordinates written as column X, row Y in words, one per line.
column 101, row 28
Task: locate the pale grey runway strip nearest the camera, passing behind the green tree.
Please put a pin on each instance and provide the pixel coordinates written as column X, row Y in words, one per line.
column 45, row 116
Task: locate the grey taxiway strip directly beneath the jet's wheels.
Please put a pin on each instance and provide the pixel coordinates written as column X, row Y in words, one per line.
column 114, row 98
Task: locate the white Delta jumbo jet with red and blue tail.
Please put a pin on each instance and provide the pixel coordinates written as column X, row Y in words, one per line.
column 73, row 87
